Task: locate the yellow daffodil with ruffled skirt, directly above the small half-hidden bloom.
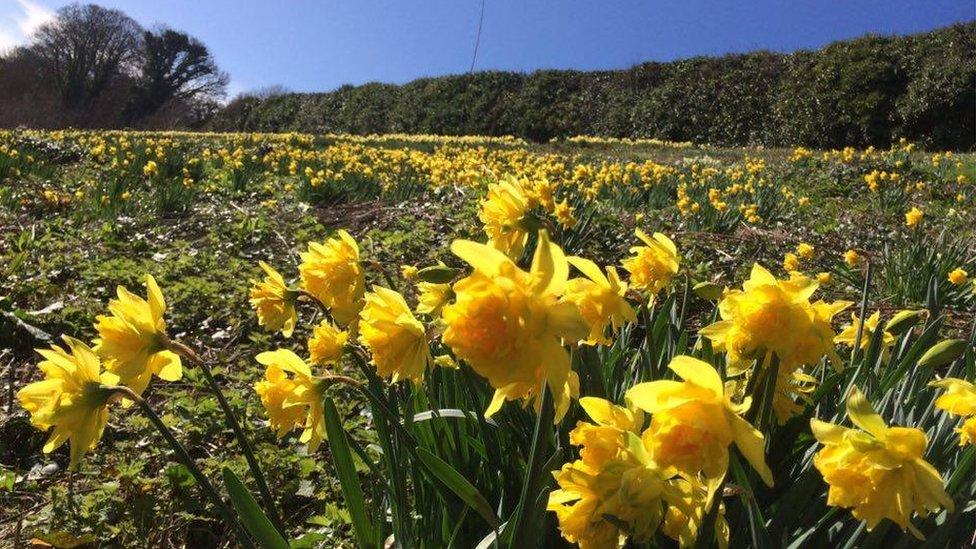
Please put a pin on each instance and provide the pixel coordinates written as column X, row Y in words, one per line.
column 331, row 272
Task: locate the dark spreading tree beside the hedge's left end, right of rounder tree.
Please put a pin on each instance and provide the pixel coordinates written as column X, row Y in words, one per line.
column 173, row 66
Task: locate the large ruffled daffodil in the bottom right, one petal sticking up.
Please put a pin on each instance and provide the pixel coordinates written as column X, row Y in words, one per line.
column 875, row 470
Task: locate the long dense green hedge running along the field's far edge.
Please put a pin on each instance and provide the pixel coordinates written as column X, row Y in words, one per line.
column 868, row 91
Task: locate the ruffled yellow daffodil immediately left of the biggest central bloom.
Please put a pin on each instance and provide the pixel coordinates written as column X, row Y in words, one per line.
column 394, row 337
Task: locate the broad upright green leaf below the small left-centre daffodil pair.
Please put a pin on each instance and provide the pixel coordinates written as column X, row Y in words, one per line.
column 352, row 492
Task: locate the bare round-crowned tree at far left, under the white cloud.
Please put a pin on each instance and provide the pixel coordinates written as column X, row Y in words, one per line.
column 83, row 49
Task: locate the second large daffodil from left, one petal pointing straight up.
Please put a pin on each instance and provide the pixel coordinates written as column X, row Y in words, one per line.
column 132, row 339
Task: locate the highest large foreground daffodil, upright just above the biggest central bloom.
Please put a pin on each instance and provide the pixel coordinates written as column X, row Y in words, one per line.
column 503, row 215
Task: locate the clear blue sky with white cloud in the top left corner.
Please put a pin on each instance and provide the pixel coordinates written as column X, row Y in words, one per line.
column 309, row 45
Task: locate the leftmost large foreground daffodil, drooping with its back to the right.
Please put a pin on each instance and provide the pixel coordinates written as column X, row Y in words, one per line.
column 73, row 397
